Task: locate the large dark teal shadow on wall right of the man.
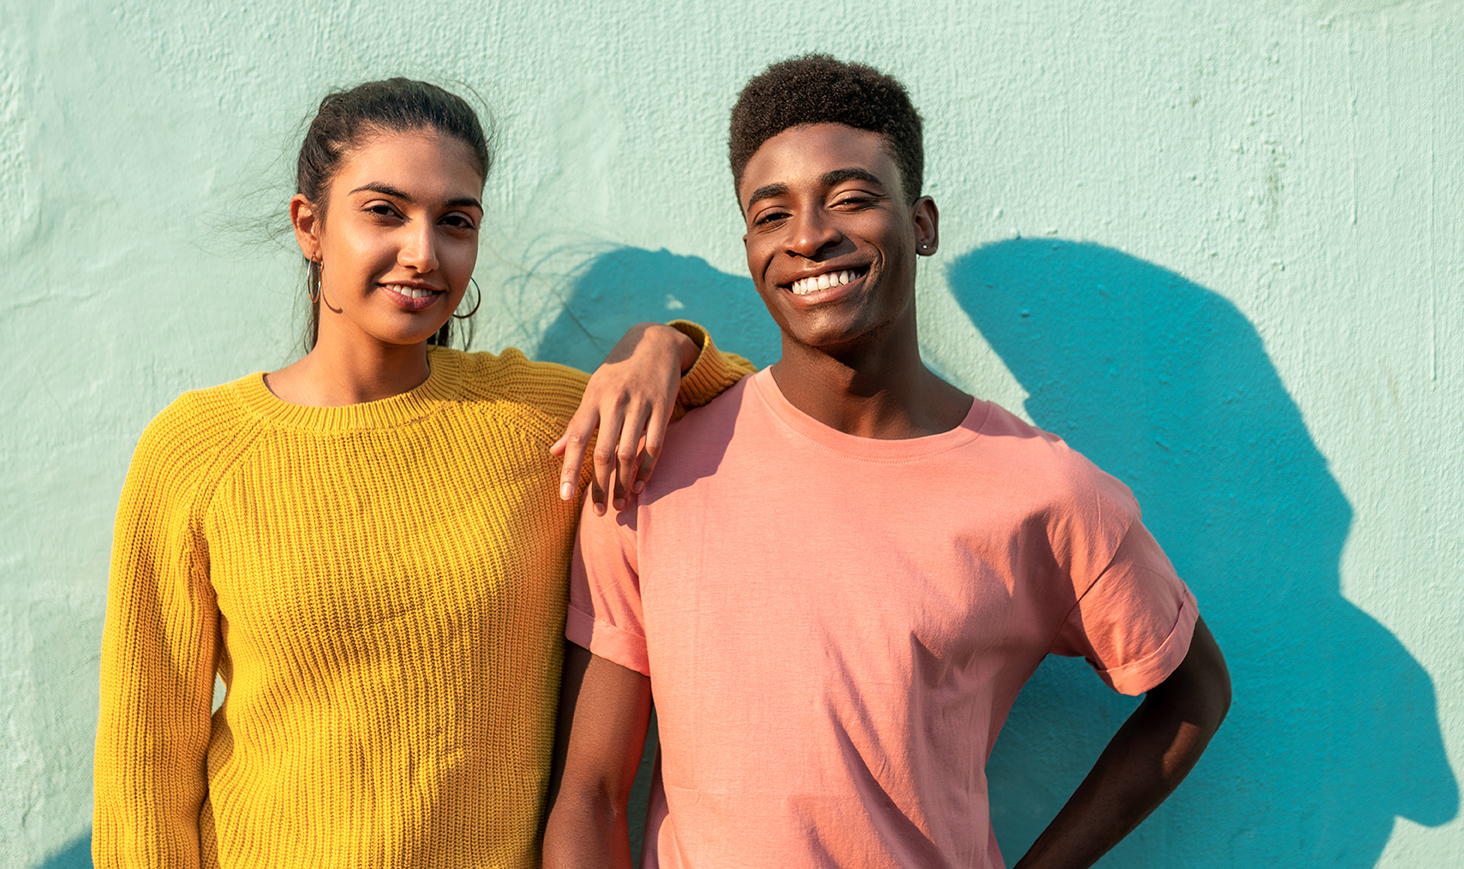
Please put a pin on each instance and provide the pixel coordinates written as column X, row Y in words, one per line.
column 1168, row 385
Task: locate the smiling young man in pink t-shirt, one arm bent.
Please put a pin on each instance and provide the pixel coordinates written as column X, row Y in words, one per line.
column 845, row 568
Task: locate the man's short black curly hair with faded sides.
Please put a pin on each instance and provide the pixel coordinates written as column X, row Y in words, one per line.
column 818, row 90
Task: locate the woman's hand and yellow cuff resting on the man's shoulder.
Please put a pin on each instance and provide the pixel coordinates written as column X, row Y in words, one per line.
column 651, row 375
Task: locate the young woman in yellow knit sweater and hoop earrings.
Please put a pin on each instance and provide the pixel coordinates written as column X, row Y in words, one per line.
column 370, row 546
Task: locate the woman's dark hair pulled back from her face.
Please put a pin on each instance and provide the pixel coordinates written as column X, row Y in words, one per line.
column 348, row 118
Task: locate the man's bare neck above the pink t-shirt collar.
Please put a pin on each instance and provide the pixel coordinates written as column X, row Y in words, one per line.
column 881, row 390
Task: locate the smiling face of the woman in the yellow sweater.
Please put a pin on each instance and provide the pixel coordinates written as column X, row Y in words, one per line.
column 397, row 239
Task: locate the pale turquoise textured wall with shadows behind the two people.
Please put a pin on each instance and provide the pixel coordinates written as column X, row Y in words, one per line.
column 1217, row 247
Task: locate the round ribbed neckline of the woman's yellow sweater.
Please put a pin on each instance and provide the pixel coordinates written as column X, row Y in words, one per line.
column 443, row 383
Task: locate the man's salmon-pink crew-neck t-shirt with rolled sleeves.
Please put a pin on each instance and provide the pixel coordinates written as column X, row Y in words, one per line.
column 837, row 627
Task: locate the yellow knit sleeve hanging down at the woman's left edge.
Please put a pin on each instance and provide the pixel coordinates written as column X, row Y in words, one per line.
column 160, row 655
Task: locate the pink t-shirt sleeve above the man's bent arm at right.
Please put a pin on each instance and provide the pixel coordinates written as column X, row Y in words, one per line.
column 1135, row 622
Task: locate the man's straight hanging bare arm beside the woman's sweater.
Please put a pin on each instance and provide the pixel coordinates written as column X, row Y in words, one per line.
column 604, row 715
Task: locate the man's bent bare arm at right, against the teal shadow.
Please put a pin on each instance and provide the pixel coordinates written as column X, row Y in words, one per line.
column 1144, row 763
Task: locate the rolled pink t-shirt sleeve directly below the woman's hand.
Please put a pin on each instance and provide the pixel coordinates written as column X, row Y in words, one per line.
column 605, row 606
